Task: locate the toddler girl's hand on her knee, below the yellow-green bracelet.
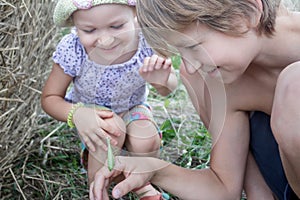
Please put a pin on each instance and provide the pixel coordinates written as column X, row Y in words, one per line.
column 93, row 127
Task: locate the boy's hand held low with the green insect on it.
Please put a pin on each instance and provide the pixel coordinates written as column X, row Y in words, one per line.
column 136, row 170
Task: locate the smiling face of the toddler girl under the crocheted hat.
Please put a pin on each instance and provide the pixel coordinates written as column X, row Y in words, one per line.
column 107, row 32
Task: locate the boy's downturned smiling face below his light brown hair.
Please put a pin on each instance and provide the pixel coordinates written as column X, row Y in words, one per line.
column 213, row 53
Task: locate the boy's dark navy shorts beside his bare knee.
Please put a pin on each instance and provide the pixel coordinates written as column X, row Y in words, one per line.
column 265, row 151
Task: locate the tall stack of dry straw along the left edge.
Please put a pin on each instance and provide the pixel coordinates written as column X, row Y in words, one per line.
column 27, row 42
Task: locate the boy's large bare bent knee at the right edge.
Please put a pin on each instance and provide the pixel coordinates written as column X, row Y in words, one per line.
column 285, row 122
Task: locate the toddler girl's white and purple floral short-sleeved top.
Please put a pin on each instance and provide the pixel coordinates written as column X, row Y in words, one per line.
column 118, row 87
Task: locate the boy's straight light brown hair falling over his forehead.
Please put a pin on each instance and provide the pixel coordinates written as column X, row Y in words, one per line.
column 227, row 16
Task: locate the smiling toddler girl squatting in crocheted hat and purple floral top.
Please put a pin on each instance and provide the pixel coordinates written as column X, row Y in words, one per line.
column 101, row 57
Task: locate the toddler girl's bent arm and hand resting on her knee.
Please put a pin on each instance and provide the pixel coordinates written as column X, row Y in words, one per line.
column 90, row 124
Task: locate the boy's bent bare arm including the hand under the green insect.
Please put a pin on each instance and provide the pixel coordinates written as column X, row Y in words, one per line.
column 223, row 180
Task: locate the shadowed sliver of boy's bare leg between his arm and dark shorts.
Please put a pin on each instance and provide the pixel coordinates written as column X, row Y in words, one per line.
column 254, row 184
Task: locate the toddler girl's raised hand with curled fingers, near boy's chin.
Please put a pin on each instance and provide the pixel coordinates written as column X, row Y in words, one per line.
column 156, row 70
